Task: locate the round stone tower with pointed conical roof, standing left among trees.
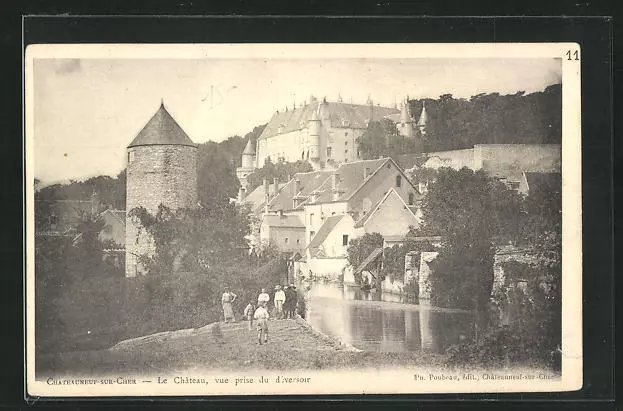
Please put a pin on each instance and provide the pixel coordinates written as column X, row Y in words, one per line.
column 161, row 169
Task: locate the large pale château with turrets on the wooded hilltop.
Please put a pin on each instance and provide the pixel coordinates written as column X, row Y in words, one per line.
column 322, row 132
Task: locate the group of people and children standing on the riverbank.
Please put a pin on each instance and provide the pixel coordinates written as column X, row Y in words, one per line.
column 285, row 301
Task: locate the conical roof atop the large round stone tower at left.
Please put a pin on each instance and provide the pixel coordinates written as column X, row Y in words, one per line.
column 162, row 129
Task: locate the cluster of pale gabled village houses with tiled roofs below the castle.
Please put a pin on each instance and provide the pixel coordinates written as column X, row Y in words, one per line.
column 327, row 205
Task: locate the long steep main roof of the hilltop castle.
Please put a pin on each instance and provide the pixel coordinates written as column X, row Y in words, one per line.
column 339, row 114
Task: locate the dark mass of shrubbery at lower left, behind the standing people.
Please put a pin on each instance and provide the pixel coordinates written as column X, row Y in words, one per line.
column 78, row 310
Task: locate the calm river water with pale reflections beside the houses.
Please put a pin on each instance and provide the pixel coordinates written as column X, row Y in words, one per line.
column 365, row 321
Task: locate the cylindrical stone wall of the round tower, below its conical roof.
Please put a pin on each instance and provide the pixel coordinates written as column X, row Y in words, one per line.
column 156, row 174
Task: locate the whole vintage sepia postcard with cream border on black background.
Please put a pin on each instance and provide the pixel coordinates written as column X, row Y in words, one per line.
column 302, row 219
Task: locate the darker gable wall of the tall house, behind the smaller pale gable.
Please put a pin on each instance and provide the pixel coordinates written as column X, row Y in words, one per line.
column 378, row 185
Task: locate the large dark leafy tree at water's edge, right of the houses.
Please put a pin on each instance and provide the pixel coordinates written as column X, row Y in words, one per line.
column 468, row 209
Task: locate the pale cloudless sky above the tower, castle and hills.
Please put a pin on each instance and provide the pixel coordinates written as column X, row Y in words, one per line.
column 86, row 111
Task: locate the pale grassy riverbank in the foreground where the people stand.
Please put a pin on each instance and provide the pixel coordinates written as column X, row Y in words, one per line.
column 292, row 345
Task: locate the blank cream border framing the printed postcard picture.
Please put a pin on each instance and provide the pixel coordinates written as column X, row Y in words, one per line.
column 362, row 381
